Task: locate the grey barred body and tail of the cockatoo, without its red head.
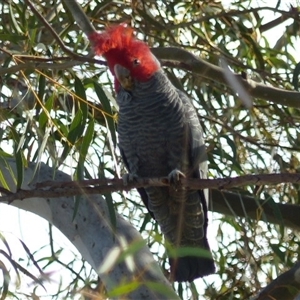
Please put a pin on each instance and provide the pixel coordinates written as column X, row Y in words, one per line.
column 159, row 132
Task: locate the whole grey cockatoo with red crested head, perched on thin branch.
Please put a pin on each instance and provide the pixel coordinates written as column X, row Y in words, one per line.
column 160, row 134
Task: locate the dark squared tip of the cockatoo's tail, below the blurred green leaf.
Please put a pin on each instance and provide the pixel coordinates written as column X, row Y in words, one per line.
column 188, row 268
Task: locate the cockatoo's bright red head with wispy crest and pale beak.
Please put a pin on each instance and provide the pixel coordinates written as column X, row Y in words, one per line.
column 128, row 58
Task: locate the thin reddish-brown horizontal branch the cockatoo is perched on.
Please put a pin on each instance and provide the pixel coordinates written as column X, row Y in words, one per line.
column 100, row 186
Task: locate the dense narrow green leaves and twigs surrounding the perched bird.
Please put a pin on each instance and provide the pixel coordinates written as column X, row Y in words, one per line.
column 57, row 106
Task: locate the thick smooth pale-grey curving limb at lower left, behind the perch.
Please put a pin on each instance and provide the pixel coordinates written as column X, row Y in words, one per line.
column 93, row 235
